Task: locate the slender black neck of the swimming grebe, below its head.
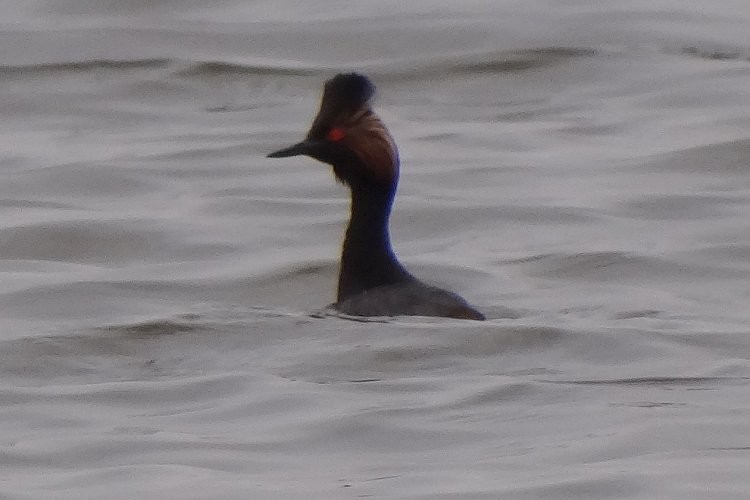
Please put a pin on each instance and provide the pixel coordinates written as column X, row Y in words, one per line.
column 367, row 258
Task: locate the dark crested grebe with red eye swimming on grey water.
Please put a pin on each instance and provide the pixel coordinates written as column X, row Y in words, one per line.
column 350, row 137
